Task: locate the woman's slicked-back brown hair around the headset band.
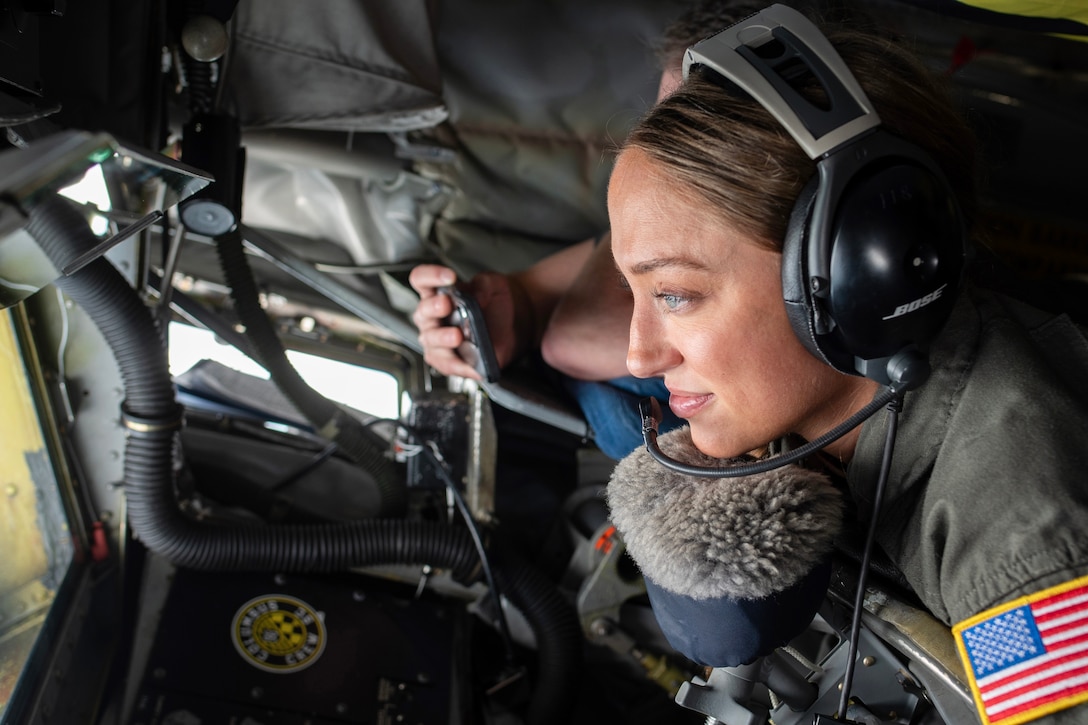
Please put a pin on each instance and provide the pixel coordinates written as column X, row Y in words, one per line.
column 719, row 143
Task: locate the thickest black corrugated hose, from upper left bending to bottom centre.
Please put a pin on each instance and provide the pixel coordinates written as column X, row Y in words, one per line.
column 154, row 419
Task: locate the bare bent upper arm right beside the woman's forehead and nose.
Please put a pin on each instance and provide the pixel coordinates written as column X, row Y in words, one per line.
column 587, row 335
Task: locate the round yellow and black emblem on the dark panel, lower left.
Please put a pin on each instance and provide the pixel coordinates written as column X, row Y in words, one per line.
column 279, row 634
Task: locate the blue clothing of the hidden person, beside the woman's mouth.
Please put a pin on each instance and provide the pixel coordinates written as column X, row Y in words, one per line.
column 612, row 410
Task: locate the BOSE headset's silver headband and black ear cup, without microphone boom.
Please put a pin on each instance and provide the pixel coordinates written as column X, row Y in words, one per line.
column 875, row 247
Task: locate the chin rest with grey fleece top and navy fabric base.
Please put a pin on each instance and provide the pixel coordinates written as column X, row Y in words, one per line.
column 734, row 569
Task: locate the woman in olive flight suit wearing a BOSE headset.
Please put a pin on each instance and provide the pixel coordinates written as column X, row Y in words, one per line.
column 793, row 228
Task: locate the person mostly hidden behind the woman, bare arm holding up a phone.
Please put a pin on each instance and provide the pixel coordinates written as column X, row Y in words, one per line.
column 568, row 306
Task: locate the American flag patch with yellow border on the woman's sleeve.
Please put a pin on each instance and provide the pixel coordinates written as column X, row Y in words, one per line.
column 1029, row 658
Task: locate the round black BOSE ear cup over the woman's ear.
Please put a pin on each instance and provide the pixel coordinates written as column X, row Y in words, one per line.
column 896, row 250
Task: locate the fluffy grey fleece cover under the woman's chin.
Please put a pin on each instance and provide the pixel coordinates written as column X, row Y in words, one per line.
column 745, row 538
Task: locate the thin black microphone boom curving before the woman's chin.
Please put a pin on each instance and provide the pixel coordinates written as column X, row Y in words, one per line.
column 650, row 410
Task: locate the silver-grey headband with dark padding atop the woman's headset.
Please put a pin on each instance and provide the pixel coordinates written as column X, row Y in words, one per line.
column 736, row 55
